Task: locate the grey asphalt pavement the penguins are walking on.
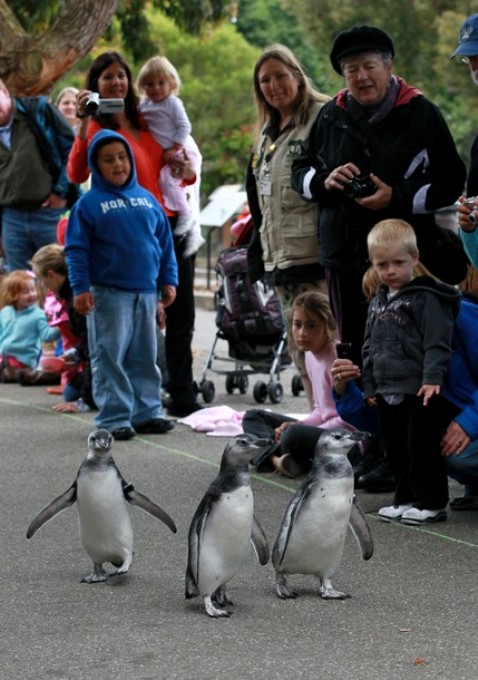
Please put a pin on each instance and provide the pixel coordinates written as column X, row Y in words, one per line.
column 412, row 614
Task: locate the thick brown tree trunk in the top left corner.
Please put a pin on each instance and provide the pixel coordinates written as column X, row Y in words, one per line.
column 31, row 64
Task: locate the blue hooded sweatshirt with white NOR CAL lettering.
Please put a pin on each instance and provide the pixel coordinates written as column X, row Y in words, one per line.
column 118, row 237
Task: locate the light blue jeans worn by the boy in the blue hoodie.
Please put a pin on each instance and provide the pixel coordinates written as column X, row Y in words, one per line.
column 122, row 343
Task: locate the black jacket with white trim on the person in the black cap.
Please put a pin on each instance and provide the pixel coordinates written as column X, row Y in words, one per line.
column 411, row 150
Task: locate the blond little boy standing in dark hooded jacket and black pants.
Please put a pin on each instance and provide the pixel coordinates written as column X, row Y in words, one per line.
column 406, row 351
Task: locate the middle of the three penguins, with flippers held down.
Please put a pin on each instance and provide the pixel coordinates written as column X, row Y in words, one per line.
column 223, row 527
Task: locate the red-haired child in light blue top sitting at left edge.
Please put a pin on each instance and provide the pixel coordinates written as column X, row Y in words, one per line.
column 23, row 330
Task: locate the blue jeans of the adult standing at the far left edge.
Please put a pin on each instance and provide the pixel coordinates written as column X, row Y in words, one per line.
column 25, row 231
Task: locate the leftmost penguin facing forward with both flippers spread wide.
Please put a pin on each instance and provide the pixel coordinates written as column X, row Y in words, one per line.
column 104, row 521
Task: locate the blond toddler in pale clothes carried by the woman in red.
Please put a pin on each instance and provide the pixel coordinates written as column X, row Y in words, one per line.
column 167, row 120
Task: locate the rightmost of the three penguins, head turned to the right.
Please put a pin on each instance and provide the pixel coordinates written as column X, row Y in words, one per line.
column 312, row 536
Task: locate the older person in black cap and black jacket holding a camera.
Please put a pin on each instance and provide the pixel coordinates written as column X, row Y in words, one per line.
column 379, row 149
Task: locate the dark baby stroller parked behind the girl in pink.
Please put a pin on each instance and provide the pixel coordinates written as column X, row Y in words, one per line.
column 249, row 318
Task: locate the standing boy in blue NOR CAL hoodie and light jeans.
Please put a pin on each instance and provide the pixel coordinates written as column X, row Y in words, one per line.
column 120, row 256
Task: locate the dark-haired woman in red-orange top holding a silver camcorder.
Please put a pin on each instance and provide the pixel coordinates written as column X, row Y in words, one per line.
column 110, row 77
